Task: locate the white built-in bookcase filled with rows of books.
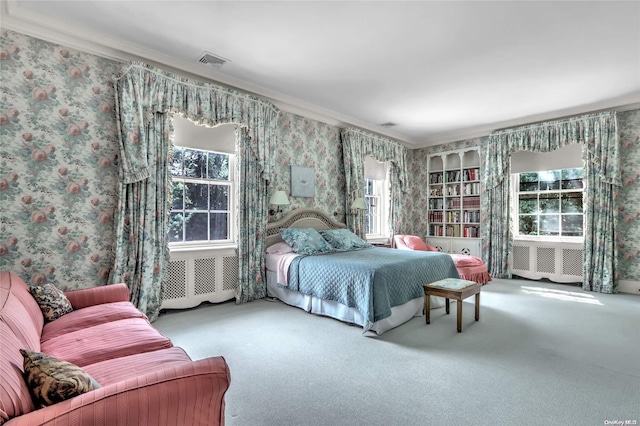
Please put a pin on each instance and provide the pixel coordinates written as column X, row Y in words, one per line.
column 454, row 201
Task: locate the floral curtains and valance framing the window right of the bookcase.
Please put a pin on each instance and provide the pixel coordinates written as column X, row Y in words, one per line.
column 599, row 135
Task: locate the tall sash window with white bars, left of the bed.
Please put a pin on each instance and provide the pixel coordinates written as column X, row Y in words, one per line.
column 202, row 196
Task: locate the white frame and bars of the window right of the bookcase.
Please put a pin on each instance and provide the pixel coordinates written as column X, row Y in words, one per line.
column 515, row 210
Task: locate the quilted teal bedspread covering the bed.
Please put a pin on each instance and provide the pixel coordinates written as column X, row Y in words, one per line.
column 370, row 280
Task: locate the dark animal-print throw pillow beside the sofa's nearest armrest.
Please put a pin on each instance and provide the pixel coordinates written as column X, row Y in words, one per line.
column 51, row 380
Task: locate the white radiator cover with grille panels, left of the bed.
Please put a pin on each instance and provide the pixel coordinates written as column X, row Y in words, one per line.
column 197, row 276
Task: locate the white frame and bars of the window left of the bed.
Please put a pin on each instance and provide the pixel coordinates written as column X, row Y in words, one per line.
column 232, row 210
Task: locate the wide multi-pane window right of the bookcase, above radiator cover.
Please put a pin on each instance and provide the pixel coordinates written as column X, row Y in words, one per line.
column 549, row 203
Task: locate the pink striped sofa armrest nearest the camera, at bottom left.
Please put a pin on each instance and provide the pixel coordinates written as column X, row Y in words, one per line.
column 191, row 394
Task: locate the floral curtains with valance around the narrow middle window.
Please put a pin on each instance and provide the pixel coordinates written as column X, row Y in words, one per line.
column 356, row 145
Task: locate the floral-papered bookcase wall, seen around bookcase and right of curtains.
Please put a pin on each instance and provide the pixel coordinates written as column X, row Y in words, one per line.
column 628, row 198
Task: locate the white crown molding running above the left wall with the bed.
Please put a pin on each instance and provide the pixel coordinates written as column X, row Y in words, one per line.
column 34, row 24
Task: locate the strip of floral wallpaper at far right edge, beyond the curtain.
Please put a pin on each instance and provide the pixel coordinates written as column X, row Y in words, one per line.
column 629, row 195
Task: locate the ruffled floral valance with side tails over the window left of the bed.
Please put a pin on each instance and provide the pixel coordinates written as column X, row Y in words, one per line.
column 147, row 90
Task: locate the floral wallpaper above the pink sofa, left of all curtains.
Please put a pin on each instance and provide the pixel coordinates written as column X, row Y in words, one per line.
column 57, row 163
